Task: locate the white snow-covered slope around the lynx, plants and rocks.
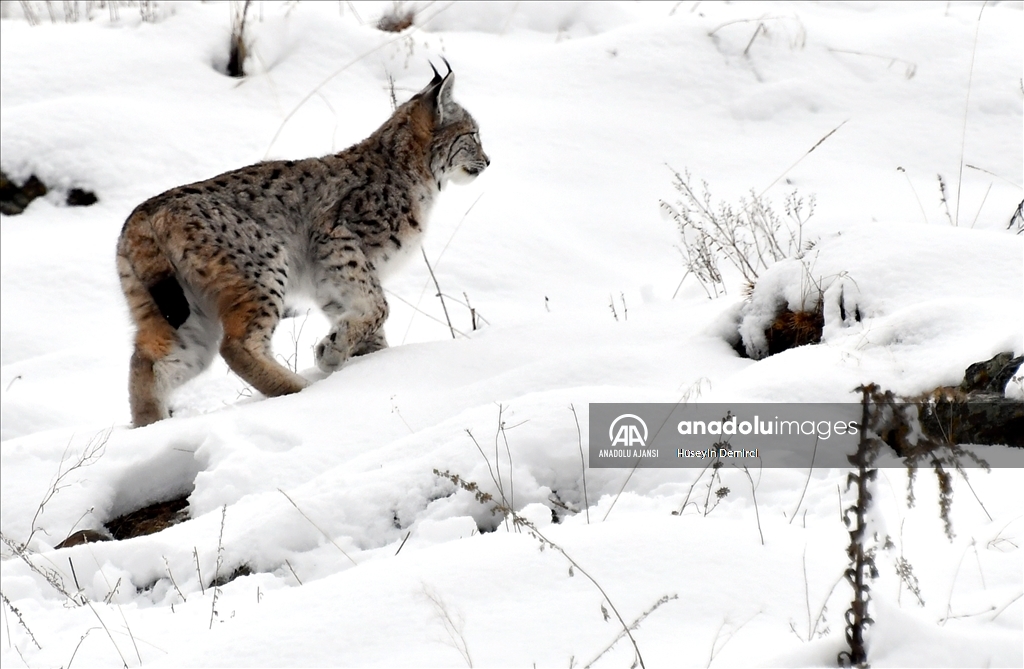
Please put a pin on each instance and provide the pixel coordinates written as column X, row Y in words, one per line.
column 564, row 250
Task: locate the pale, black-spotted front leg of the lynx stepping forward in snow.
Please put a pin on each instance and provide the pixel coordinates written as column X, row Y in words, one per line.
column 351, row 296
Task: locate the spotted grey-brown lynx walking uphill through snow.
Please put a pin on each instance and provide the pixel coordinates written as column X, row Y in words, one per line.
column 211, row 264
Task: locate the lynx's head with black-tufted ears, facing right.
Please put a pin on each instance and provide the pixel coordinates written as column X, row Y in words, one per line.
column 456, row 152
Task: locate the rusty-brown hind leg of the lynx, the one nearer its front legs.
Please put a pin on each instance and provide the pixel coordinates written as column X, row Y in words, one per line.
column 249, row 316
